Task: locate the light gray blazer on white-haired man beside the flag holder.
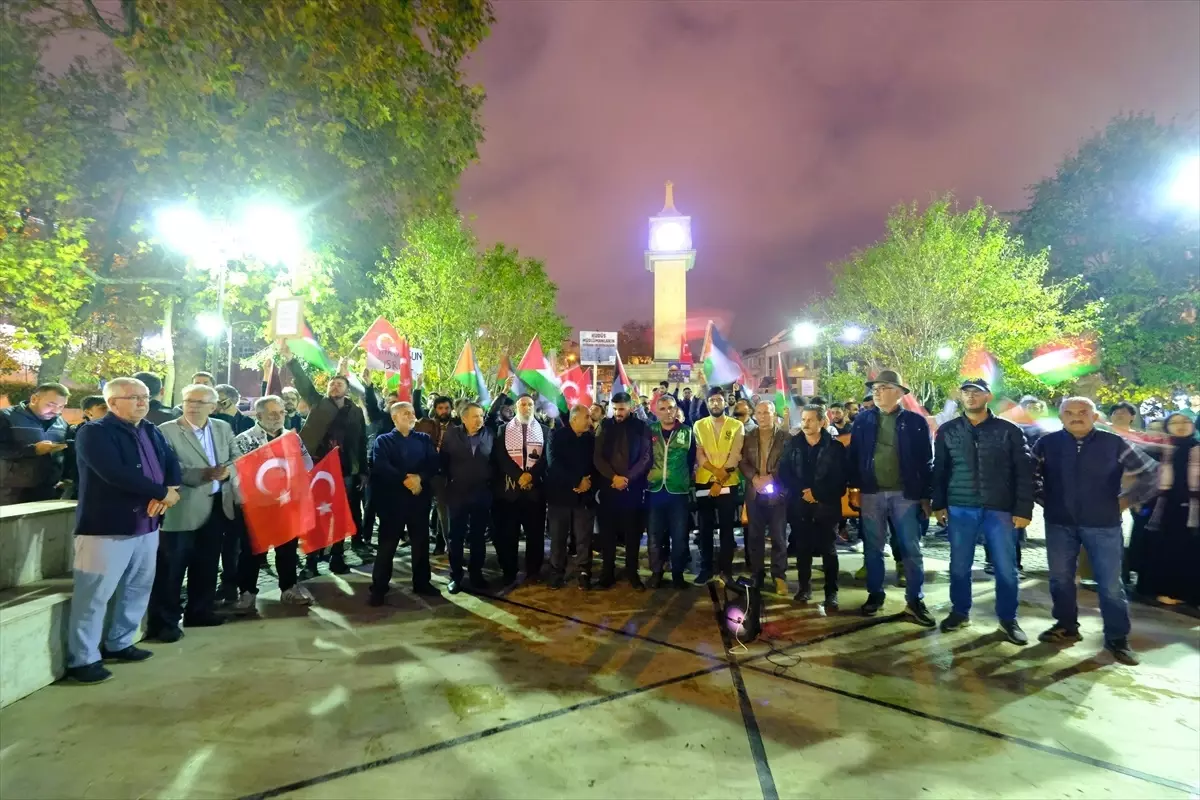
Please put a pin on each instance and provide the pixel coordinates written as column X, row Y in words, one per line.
column 196, row 495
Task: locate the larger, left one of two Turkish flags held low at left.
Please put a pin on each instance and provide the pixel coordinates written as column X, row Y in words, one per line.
column 274, row 486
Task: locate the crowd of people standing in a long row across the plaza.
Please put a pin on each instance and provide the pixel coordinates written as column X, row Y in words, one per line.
column 159, row 501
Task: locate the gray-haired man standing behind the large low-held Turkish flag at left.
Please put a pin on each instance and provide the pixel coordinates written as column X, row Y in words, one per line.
column 272, row 413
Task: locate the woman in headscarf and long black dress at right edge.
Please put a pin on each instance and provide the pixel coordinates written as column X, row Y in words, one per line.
column 1172, row 562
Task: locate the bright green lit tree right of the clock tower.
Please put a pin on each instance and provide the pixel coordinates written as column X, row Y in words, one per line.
column 944, row 279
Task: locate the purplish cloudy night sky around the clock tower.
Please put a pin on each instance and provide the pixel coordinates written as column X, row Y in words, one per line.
column 789, row 129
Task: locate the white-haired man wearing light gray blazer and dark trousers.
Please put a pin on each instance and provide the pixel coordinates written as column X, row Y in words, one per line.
column 194, row 531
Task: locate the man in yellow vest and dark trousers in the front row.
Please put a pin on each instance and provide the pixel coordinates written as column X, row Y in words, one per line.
column 718, row 455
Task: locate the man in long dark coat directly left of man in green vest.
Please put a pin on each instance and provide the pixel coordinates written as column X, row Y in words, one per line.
column 622, row 461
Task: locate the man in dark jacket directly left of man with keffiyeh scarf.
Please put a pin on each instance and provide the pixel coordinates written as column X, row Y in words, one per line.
column 467, row 464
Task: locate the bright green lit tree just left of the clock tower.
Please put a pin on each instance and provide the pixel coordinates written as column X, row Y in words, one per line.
column 439, row 290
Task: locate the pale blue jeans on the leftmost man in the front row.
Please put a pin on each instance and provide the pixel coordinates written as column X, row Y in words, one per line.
column 107, row 567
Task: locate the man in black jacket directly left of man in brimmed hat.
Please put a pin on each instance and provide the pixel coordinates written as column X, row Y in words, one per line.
column 813, row 476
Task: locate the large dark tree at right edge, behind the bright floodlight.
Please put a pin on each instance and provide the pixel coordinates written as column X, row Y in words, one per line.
column 1108, row 218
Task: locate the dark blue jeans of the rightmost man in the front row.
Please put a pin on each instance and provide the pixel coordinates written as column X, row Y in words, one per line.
column 1106, row 548
